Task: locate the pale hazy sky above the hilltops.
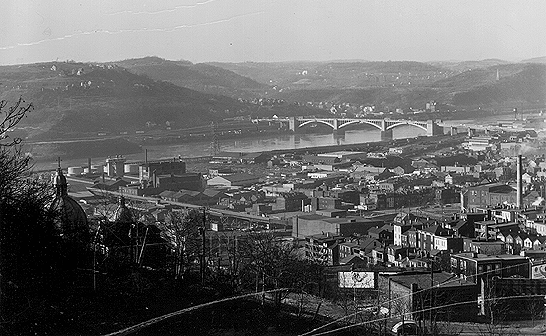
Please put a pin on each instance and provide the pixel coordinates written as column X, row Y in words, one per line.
column 259, row 30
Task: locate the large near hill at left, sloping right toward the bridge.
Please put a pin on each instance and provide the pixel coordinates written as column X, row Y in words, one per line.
column 74, row 99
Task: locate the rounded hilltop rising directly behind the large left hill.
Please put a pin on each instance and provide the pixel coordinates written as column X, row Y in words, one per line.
column 200, row 77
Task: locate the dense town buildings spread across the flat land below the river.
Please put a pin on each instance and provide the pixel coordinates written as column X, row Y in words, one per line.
column 456, row 218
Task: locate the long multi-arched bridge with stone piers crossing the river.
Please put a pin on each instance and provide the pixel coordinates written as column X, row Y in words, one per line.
column 340, row 124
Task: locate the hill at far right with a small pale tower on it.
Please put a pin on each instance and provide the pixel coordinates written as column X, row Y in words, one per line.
column 517, row 84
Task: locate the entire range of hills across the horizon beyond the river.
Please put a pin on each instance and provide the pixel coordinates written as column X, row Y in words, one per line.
column 83, row 99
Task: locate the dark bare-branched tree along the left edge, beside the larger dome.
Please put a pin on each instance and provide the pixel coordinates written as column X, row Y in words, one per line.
column 29, row 243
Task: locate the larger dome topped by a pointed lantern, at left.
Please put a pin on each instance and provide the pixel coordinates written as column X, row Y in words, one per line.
column 71, row 219
